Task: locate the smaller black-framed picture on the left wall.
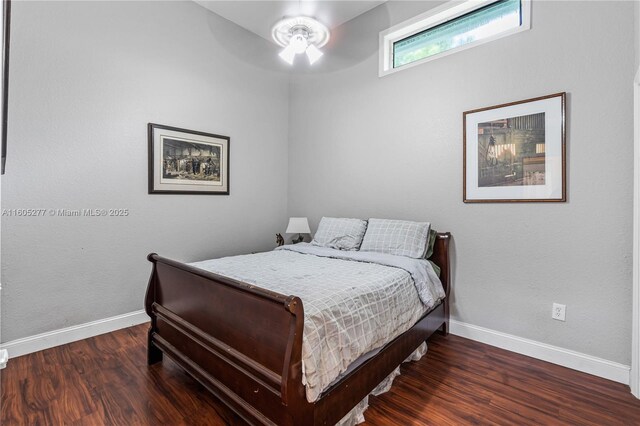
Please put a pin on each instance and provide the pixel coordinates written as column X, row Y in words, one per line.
column 187, row 162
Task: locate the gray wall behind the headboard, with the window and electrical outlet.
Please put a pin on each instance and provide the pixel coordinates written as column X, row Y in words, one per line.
column 365, row 146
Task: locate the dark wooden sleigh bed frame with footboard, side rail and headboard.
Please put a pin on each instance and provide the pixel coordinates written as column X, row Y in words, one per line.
column 245, row 343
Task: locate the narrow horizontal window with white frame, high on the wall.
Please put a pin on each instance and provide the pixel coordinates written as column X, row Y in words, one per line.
column 451, row 28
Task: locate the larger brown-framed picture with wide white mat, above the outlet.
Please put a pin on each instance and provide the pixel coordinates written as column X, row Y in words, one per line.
column 515, row 152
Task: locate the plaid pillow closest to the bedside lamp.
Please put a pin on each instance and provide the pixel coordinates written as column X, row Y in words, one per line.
column 340, row 233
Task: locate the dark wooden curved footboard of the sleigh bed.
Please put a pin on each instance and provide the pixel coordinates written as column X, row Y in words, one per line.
column 241, row 342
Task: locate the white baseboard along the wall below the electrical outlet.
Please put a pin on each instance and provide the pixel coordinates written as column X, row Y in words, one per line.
column 554, row 354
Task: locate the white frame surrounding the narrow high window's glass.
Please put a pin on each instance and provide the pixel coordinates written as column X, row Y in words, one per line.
column 432, row 18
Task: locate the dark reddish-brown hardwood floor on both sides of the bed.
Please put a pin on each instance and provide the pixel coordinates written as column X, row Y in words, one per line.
column 105, row 380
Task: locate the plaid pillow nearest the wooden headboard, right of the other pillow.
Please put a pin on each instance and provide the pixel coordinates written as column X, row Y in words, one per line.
column 398, row 237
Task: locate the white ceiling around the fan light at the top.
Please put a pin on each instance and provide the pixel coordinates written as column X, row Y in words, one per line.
column 260, row 16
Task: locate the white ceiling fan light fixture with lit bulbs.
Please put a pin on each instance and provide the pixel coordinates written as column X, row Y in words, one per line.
column 300, row 35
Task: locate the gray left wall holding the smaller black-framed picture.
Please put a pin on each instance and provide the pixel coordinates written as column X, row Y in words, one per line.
column 86, row 78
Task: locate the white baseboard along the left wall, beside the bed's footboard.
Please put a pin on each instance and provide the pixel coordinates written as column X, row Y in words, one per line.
column 54, row 338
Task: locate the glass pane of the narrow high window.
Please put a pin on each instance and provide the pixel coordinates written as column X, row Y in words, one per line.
column 476, row 25
